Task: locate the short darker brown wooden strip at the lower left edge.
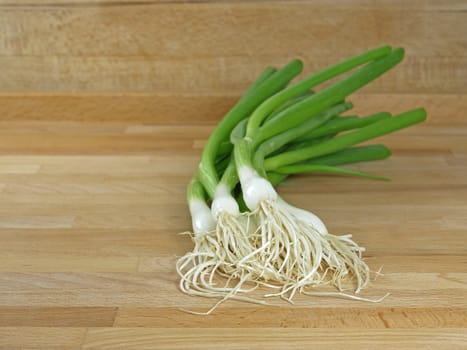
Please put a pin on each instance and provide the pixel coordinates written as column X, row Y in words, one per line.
column 16, row 316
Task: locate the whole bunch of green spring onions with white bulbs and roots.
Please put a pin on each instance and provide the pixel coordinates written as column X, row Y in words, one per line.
column 245, row 235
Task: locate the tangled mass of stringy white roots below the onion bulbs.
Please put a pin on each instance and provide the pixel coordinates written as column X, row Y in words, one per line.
column 274, row 248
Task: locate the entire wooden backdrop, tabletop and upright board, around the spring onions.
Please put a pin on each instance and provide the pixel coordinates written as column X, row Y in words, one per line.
column 104, row 108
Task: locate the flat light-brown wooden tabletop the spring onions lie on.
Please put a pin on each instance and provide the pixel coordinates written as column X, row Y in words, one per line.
column 89, row 223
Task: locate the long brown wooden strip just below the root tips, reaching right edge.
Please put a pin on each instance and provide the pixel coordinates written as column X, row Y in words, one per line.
column 298, row 317
